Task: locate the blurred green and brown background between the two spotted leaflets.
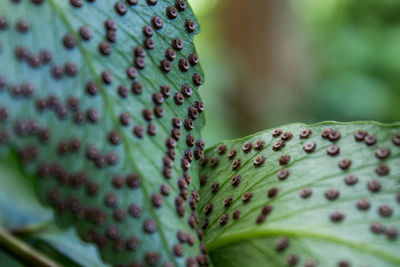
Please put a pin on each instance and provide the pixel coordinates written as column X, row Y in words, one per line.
column 272, row 62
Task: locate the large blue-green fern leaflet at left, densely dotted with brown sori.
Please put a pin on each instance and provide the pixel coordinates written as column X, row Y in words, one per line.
column 100, row 100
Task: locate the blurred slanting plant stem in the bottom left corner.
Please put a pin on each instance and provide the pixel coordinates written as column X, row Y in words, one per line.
column 24, row 252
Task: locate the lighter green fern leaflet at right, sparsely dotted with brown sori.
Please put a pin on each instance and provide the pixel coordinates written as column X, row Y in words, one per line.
column 306, row 195
